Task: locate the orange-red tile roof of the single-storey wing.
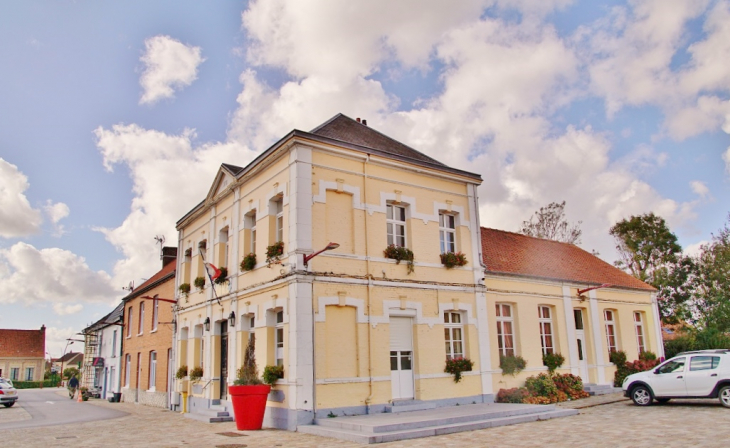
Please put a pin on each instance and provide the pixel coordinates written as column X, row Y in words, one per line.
column 517, row 254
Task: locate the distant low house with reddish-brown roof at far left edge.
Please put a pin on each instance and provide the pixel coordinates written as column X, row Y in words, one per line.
column 22, row 354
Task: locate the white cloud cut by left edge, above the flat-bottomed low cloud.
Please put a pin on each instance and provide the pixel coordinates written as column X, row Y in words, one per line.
column 17, row 217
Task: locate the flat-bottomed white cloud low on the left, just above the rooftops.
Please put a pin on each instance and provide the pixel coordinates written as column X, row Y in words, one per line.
column 32, row 276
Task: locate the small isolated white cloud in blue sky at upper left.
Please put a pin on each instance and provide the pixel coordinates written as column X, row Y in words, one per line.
column 169, row 65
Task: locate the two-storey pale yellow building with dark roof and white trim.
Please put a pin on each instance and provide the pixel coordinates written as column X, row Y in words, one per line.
column 353, row 329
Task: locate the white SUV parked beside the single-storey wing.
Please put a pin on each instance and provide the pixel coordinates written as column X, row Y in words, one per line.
column 695, row 374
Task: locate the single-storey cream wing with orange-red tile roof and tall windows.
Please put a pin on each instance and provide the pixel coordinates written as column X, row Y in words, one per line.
column 534, row 308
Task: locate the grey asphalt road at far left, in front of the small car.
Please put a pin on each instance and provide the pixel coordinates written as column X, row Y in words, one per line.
column 47, row 407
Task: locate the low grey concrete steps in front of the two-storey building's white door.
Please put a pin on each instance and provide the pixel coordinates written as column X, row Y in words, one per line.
column 354, row 435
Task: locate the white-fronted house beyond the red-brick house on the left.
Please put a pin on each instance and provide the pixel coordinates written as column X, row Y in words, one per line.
column 102, row 357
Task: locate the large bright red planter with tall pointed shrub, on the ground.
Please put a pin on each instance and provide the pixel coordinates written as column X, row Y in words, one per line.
column 248, row 393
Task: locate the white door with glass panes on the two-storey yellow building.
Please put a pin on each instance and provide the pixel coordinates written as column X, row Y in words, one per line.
column 401, row 357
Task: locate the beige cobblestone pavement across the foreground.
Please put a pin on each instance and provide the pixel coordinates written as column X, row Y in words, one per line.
column 618, row 423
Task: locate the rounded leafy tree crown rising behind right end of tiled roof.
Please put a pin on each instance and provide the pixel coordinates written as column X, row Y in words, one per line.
column 645, row 245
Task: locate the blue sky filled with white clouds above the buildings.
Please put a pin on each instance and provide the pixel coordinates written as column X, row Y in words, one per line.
column 115, row 117
